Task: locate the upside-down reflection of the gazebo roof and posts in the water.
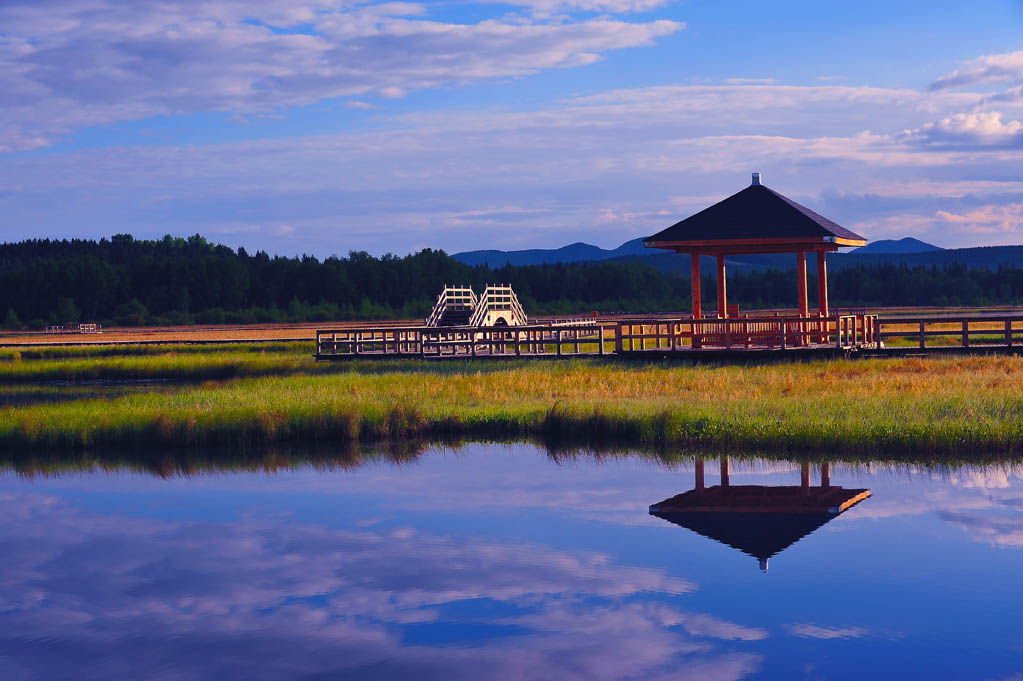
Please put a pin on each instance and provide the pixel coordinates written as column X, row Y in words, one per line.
column 759, row 520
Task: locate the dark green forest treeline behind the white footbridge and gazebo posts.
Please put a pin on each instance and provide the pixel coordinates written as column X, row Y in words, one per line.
column 128, row 282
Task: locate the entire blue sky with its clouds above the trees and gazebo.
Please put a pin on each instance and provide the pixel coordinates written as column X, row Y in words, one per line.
column 326, row 126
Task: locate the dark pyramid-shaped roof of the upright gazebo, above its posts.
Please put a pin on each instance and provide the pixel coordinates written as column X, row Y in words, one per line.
column 755, row 220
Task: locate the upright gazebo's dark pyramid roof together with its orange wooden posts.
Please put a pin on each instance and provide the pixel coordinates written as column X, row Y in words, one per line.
column 758, row 220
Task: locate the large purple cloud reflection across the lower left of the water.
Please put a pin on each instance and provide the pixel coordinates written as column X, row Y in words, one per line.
column 266, row 599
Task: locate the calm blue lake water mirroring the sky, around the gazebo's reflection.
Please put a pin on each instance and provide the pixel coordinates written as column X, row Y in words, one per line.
column 499, row 563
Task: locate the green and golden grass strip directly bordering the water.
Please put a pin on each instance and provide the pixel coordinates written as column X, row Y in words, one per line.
column 966, row 407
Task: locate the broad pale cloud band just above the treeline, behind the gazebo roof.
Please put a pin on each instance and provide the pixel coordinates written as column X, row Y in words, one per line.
column 602, row 169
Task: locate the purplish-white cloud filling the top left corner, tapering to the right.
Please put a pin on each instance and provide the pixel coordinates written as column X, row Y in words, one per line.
column 72, row 64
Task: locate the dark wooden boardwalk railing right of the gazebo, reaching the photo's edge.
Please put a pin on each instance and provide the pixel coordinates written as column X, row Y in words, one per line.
column 958, row 332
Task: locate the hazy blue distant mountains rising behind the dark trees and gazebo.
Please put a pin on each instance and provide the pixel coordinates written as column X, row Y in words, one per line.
column 906, row 251
